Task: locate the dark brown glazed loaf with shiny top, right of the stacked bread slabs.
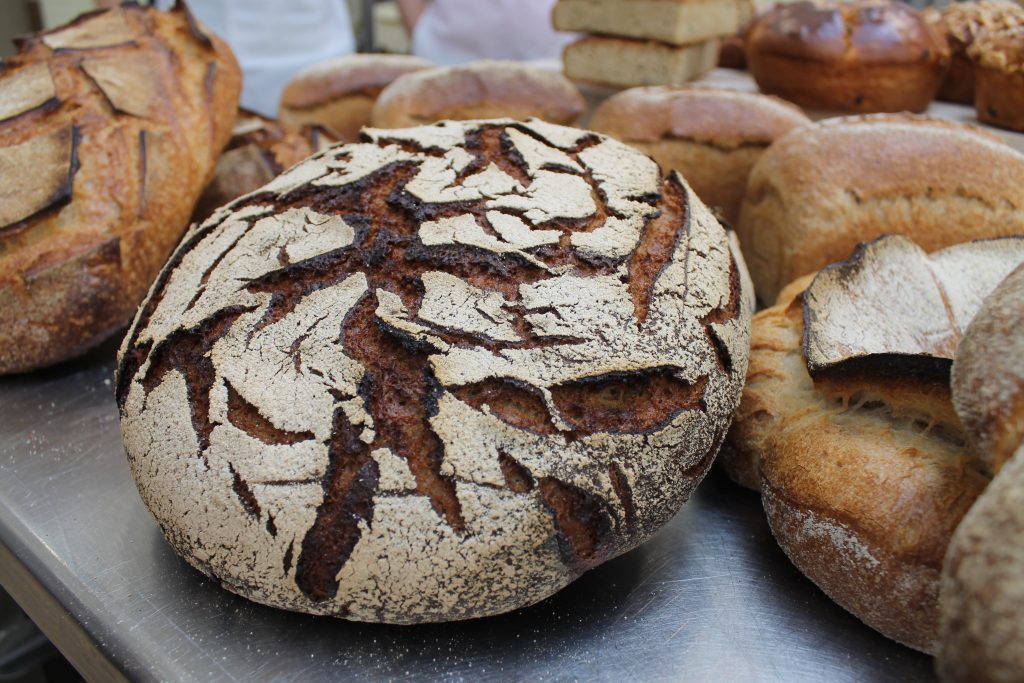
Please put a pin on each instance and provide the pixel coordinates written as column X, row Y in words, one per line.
column 868, row 56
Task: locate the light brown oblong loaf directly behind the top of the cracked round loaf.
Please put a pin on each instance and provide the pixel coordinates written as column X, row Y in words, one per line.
column 478, row 91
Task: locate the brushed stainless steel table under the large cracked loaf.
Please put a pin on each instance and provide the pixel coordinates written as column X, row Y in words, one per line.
column 711, row 599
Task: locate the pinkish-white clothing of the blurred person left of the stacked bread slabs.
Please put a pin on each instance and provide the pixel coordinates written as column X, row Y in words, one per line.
column 452, row 32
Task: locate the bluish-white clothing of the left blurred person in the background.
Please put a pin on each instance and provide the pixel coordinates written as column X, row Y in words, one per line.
column 274, row 39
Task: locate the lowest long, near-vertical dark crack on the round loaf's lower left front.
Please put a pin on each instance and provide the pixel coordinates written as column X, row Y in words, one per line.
column 350, row 485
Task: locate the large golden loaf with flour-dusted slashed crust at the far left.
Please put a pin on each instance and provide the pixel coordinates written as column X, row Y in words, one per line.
column 110, row 129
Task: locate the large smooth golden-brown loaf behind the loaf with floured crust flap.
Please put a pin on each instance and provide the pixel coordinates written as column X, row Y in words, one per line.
column 820, row 191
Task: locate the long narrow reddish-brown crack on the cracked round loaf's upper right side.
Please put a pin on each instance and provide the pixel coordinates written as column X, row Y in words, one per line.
column 659, row 243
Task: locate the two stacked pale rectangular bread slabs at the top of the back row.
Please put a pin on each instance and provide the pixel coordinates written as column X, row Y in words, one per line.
column 647, row 42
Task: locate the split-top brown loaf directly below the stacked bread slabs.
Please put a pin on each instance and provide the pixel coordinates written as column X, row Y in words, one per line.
column 713, row 138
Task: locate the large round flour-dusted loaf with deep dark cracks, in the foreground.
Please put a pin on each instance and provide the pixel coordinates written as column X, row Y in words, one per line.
column 436, row 375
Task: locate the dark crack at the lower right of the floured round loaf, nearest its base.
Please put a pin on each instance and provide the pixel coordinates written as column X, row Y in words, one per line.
column 581, row 521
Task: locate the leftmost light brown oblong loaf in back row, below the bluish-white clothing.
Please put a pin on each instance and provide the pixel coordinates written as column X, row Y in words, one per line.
column 340, row 94
